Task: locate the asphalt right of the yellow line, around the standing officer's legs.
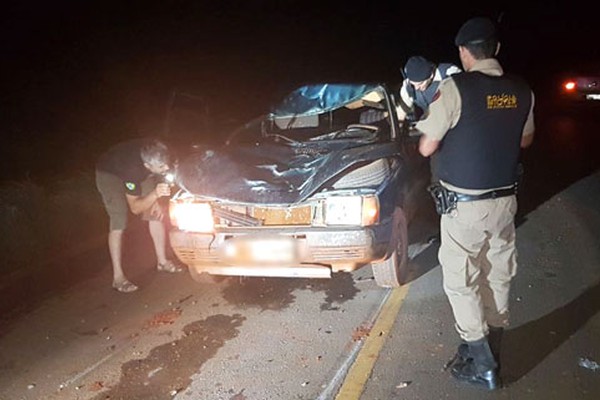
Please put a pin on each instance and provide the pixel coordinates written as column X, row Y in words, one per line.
column 555, row 304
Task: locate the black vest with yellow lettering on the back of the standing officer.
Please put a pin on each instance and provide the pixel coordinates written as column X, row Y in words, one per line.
column 482, row 150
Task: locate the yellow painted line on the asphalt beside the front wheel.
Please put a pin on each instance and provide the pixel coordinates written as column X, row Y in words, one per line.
column 359, row 373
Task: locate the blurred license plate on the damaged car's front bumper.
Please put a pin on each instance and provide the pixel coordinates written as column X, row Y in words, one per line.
column 279, row 250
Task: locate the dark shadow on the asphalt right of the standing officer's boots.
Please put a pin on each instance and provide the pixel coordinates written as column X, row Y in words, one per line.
column 526, row 346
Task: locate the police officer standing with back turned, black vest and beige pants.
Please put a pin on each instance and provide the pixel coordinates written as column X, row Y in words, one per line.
column 477, row 124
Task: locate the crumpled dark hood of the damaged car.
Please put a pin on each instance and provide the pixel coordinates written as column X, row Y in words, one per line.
column 272, row 173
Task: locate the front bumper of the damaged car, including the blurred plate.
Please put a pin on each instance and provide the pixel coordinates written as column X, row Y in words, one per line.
column 288, row 252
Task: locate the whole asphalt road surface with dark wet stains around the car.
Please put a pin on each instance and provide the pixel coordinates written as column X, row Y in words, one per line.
column 258, row 339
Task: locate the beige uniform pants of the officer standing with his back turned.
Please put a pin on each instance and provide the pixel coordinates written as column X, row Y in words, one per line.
column 478, row 258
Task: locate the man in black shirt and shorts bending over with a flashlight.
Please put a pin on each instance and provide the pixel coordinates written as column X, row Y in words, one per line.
column 127, row 178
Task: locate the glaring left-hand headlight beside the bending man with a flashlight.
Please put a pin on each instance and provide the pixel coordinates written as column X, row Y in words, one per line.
column 191, row 216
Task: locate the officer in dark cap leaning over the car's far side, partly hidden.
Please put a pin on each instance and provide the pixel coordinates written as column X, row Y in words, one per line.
column 421, row 81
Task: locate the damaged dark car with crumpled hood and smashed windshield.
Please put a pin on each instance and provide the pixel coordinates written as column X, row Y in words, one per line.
column 324, row 182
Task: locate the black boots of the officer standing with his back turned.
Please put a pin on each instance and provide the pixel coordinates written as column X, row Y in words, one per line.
column 480, row 369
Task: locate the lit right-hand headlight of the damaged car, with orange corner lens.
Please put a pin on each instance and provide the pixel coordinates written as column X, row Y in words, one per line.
column 351, row 210
